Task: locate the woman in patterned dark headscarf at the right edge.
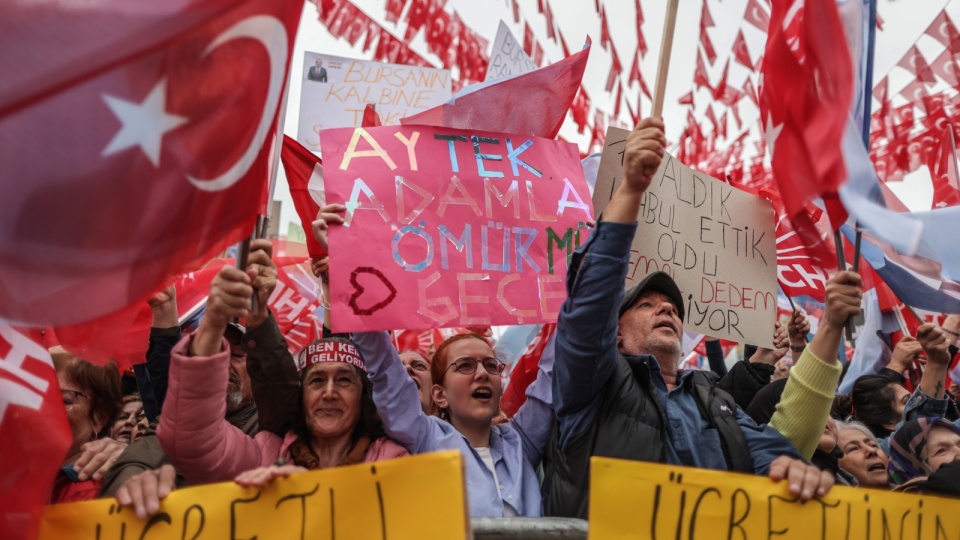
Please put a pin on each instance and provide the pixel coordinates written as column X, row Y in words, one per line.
column 922, row 446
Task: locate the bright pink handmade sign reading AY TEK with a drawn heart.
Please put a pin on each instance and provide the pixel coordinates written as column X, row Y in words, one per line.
column 449, row 227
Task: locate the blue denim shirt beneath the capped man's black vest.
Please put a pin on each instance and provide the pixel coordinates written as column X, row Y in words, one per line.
column 586, row 356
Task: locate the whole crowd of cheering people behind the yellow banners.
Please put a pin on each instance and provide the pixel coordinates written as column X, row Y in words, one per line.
column 231, row 403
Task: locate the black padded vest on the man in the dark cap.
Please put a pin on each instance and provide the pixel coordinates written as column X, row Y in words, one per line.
column 630, row 425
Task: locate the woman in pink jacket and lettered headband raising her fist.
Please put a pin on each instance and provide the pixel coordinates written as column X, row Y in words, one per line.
column 337, row 423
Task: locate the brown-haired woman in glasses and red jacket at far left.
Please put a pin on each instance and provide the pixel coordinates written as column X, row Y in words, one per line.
column 91, row 396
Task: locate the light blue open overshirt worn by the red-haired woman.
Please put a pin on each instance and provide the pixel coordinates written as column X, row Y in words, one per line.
column 516, row 447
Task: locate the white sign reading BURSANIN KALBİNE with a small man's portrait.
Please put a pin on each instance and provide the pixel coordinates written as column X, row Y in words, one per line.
column 335, row 92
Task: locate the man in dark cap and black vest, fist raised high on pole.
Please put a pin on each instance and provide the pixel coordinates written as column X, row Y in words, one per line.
column 617, row 391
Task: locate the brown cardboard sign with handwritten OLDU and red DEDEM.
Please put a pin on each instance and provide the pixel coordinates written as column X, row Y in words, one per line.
column 717, row 243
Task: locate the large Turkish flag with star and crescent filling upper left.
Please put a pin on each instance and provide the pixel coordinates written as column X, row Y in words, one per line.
column 137, row 141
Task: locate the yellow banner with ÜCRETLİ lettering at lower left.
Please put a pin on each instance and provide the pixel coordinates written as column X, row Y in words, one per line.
column 413, row 497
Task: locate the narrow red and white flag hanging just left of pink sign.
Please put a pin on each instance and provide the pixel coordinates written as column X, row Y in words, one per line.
column 305, row 177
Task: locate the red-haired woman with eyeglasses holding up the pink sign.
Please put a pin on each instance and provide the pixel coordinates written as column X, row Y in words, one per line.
column 501, row 460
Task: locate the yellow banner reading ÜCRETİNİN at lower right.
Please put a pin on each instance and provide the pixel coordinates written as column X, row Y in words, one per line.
column 632, row 499
